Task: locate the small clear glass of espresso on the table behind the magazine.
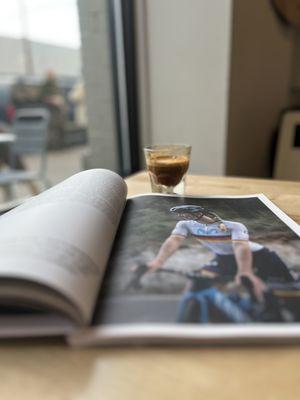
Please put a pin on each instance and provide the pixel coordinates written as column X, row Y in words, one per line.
column 167, row 166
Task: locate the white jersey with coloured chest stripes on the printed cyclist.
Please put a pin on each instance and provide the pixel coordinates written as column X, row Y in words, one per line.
column 213, row 237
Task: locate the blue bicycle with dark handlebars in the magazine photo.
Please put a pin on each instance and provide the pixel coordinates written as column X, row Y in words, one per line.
column 211, row 299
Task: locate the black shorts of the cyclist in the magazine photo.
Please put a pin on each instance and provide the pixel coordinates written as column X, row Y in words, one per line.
column 266, row 264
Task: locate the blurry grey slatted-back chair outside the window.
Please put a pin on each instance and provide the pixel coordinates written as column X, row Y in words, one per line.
column 30, row 127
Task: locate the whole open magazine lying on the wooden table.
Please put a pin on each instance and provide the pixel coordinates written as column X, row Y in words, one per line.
column 82, row 261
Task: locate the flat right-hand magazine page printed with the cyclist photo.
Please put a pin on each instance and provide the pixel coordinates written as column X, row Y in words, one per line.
column 206, row 268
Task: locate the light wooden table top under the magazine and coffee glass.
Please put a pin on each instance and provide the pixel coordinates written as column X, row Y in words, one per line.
column 49, row 370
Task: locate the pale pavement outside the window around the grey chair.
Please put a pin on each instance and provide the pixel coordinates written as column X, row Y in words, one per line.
column 61, row 164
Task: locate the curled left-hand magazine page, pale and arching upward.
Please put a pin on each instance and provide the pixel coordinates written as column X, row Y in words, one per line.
column 62, row 238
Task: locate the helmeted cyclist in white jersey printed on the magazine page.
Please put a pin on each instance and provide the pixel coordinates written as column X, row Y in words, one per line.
column 235, row 255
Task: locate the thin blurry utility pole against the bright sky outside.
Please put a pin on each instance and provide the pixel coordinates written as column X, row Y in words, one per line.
column 26, row 45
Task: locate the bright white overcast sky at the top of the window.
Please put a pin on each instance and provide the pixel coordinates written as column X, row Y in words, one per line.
column 50, row 21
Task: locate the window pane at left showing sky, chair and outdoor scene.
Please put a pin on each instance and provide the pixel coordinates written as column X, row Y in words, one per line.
column 41, row 70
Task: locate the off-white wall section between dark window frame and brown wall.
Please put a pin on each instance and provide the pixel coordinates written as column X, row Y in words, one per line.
column 188, row 62
